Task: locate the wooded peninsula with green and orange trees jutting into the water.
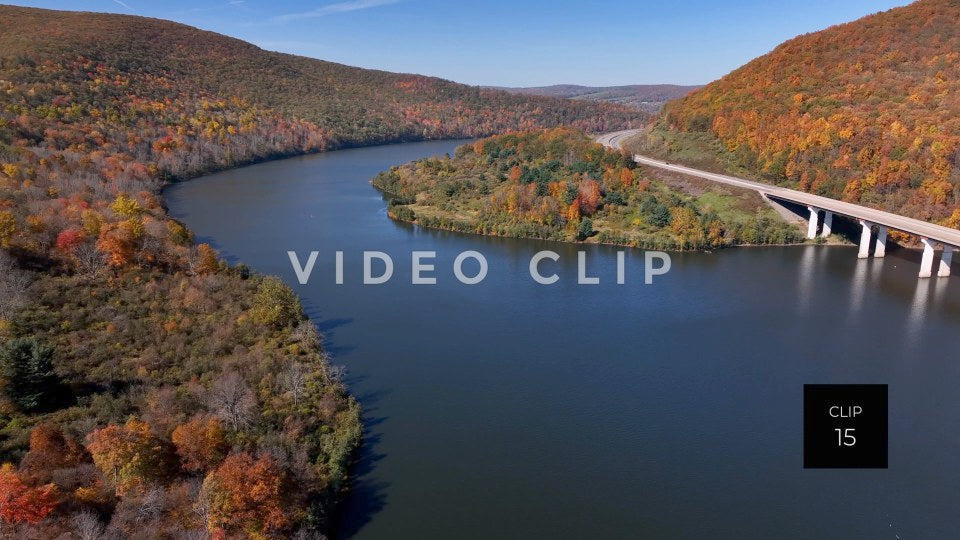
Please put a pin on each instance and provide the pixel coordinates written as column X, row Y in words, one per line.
column 559, row 184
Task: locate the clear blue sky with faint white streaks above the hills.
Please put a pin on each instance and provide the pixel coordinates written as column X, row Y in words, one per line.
column 513, row 43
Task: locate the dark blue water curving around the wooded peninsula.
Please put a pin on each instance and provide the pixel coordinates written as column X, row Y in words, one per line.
column 512, row 409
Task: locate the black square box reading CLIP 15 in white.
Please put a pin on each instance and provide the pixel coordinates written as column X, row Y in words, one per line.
column 845, row 426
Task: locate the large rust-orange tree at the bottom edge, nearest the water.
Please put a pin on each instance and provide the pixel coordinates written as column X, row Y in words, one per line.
column 249, row 495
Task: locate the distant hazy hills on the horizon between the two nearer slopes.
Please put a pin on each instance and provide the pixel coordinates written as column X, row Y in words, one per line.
column 648, row 98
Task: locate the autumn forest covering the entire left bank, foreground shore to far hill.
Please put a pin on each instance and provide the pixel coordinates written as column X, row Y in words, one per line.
column 146, row 388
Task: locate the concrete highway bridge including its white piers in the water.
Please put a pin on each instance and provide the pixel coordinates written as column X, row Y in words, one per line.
column 822, row 210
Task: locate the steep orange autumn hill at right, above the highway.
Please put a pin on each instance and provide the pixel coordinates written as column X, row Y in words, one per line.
column 867, row 111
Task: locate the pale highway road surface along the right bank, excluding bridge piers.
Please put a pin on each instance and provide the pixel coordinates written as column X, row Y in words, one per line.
column 916, row 227
